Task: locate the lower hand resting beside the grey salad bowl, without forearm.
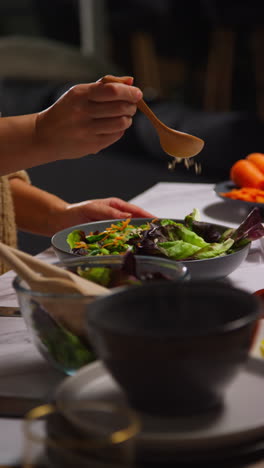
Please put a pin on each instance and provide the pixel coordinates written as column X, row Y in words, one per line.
column 96, row 210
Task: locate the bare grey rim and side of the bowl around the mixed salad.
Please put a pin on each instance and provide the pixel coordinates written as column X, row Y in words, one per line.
column 205, row 269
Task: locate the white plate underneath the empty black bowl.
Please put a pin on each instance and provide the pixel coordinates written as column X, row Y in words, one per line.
column 240, row 421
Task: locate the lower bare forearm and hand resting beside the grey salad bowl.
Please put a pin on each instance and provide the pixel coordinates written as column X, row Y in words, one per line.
column 43, row 213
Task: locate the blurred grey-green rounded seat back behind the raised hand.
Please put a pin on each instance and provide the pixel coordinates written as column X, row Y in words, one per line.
column 38, row 59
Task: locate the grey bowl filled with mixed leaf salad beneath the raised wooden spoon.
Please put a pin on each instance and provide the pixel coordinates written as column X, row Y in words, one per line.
column 203, row 268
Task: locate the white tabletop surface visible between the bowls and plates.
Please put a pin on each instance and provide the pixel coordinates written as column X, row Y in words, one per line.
column 27, row 379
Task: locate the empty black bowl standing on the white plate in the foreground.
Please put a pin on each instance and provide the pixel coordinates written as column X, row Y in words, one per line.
column 174, row 348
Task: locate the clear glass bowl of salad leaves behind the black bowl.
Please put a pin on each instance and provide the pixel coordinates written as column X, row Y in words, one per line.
column 56, row 322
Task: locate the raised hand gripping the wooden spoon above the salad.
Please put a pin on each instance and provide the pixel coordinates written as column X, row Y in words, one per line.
column 86, row 119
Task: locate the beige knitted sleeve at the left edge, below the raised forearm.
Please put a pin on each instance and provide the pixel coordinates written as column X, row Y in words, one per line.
column 8, row 233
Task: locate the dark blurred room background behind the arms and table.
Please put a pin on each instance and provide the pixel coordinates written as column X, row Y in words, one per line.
column 181, row 37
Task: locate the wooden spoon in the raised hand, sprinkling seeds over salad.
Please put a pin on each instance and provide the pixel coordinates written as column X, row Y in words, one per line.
column 173, row 142
